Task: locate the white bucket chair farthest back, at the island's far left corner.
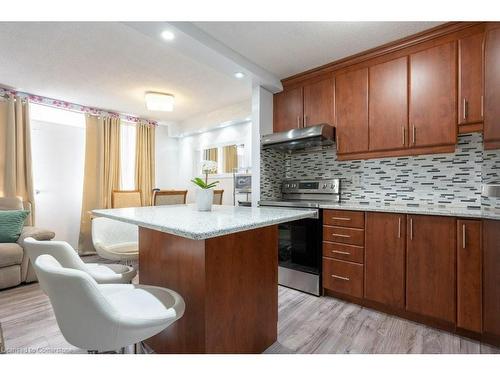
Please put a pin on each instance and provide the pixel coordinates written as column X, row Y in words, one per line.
column 115, row 240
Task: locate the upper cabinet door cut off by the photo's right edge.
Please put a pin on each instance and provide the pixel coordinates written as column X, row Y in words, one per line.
column 492, row 89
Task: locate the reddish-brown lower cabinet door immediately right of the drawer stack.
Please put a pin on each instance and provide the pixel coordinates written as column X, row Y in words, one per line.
column 385, row 258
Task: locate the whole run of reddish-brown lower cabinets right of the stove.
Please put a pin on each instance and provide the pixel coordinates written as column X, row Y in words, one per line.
column 437, row 270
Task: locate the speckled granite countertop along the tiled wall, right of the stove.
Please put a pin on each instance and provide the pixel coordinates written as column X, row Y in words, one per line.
column 422, row 209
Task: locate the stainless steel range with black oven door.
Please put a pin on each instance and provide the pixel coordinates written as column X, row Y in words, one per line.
column 300, row 242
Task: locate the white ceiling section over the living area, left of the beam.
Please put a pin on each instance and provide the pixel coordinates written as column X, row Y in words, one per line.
column 110, row 66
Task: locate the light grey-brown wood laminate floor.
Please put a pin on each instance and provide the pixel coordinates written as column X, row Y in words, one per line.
column 307, row 324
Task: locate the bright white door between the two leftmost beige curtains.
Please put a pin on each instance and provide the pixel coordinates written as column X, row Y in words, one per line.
column 58, row 151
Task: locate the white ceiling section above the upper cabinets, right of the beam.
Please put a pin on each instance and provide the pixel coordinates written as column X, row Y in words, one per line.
column 288, row 48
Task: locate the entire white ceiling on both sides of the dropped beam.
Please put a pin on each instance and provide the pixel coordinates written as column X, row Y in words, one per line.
column 110, row 65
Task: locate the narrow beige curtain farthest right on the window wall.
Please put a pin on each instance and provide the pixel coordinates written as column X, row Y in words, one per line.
column 145, row 162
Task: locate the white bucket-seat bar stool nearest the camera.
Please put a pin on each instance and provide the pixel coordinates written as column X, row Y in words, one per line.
column 105, row 317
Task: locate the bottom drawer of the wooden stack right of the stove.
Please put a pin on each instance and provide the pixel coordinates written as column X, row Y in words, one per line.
column 343, row 277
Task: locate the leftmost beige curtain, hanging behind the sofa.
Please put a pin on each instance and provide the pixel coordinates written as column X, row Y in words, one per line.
column 16, row 177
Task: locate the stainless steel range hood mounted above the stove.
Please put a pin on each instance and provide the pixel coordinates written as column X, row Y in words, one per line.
column 301, row 138
